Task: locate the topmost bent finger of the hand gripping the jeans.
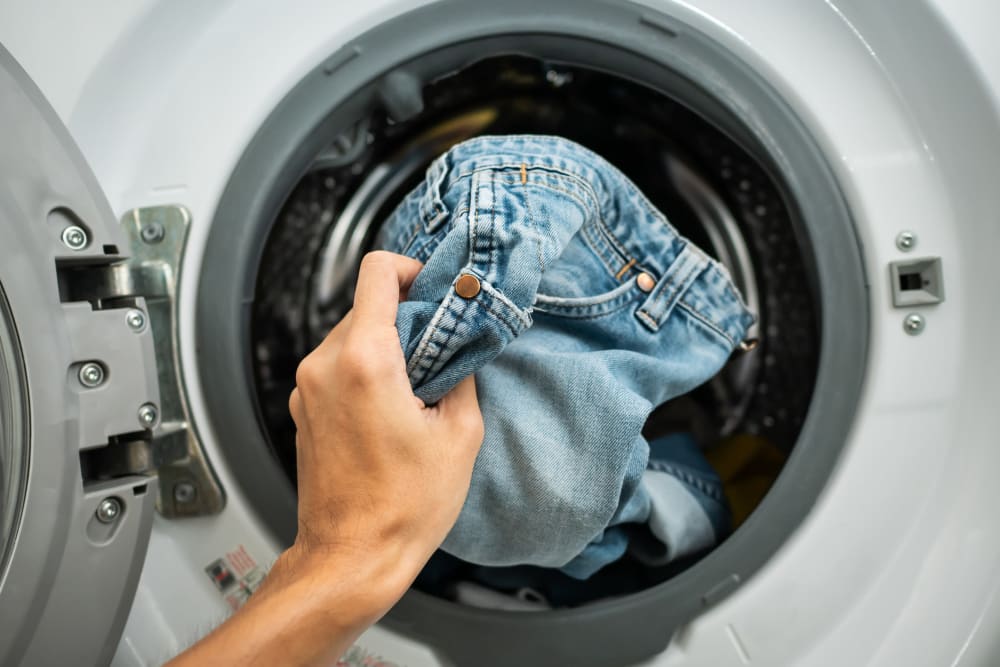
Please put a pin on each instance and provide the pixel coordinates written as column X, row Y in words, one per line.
column 383, row 278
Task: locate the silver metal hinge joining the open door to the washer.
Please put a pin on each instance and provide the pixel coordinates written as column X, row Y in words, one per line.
column 142, row 288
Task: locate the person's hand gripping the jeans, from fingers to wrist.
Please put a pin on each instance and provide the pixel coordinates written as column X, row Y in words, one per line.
column 380, row 475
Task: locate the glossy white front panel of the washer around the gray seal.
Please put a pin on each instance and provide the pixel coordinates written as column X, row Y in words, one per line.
column 905, row 528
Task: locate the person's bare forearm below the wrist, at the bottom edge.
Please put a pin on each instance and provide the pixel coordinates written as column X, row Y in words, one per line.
column 308, row 611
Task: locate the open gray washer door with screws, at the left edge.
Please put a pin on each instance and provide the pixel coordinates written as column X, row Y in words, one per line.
column 78, row 398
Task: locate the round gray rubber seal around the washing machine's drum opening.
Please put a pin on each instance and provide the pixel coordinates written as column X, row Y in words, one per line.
column 632, row 42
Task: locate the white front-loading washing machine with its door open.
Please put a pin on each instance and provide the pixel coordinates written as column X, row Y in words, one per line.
column 187, row 188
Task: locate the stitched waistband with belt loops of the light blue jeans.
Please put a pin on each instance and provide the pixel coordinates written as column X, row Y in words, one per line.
column 620, row 224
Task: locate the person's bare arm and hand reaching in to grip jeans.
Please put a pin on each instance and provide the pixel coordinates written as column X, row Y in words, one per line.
column 381, row 480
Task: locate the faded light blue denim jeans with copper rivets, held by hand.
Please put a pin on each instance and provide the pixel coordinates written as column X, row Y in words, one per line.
column 579, row 308
